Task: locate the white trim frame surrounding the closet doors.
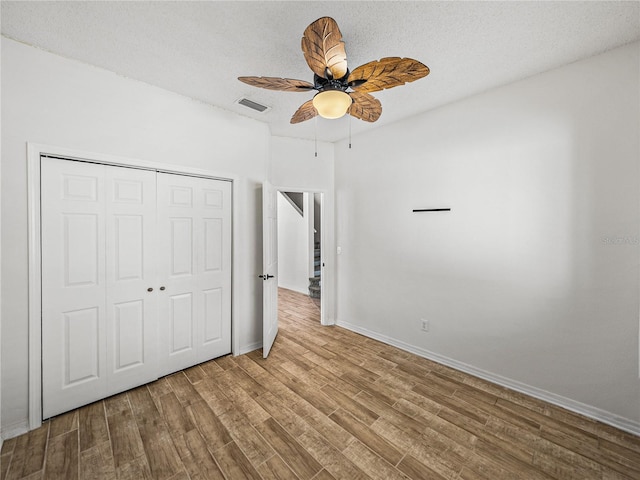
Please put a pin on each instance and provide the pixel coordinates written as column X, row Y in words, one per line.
column 35, row 152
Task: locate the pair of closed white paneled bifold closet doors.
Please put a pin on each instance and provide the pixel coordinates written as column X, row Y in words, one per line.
column 136, row 277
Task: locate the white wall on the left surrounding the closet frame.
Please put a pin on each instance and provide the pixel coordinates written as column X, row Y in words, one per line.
column 52, row 100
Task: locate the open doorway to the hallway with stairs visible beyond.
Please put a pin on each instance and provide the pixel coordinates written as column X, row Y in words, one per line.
column 301, row 248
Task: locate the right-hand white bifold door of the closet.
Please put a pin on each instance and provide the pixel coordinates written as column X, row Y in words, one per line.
column 194, row 217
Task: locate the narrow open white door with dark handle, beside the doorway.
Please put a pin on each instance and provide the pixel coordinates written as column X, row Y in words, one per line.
column 269, row 267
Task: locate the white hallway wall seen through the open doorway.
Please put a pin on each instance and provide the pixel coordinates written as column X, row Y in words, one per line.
column 293, row 246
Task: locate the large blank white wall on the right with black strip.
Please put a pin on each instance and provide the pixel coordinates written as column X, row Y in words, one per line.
column 532, row 278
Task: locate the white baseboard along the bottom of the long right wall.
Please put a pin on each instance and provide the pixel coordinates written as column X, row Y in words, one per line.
column 595, row 413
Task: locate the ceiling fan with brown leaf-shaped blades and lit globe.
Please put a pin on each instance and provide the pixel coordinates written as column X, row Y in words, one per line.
column 339, row 90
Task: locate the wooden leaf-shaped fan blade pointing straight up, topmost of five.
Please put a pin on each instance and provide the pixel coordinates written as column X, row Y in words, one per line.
column 323, row 49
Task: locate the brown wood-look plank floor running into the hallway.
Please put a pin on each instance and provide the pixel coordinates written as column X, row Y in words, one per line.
column 328, row 403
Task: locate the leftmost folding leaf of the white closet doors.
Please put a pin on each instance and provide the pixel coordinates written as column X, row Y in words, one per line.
column 73, row 283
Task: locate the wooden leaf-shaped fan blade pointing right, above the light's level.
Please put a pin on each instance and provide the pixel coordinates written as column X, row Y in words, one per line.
column 386, row 73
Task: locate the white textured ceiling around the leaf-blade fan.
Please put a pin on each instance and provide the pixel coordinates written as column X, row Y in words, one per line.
column 198, row 49
